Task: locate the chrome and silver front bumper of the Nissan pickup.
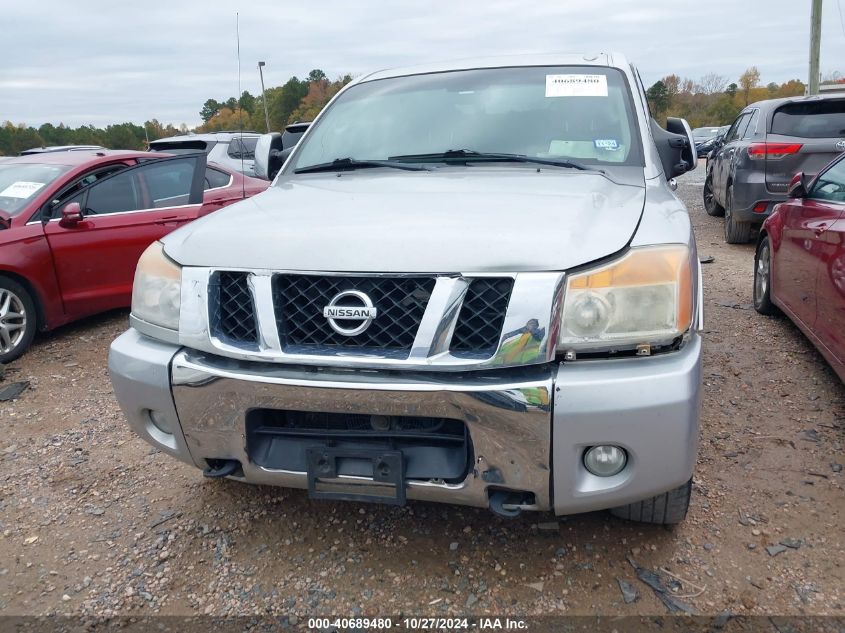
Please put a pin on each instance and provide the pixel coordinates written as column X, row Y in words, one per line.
column 528, row 427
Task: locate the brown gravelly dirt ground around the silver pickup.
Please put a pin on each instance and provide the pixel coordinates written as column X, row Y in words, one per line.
column 93, row 521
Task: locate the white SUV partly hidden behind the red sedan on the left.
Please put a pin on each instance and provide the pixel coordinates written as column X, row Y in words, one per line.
column 233, row 150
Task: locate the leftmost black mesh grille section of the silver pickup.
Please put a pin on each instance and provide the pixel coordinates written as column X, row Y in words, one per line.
column 231, row 308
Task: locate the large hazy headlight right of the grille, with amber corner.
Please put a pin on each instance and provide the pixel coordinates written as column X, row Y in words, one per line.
column 643, row 298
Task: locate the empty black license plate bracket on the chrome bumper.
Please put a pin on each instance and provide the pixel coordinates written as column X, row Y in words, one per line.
column 388, row 471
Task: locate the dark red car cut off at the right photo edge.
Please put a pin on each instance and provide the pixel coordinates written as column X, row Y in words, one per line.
column 799, row 267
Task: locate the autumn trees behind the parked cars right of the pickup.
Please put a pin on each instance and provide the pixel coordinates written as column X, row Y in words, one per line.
column 714, row 99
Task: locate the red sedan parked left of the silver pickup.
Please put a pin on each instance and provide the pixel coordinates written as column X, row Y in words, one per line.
column 73, row 225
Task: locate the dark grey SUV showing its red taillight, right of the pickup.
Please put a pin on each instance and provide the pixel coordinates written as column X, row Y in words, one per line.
column 769, row 142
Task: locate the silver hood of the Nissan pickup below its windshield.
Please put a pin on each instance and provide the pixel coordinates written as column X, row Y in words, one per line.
column 462, row 220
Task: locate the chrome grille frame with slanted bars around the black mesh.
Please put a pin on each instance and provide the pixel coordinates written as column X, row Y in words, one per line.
column 534, row 306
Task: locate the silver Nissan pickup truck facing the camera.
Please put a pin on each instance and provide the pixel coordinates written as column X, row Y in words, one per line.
column 469, row 283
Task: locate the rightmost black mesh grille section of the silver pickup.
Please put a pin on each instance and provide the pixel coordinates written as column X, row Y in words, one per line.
column 482, row 316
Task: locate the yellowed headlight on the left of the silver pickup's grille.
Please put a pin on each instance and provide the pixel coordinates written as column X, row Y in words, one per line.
column 157, row 292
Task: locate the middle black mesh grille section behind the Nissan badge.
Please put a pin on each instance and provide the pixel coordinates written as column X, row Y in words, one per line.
column 299, row 301
